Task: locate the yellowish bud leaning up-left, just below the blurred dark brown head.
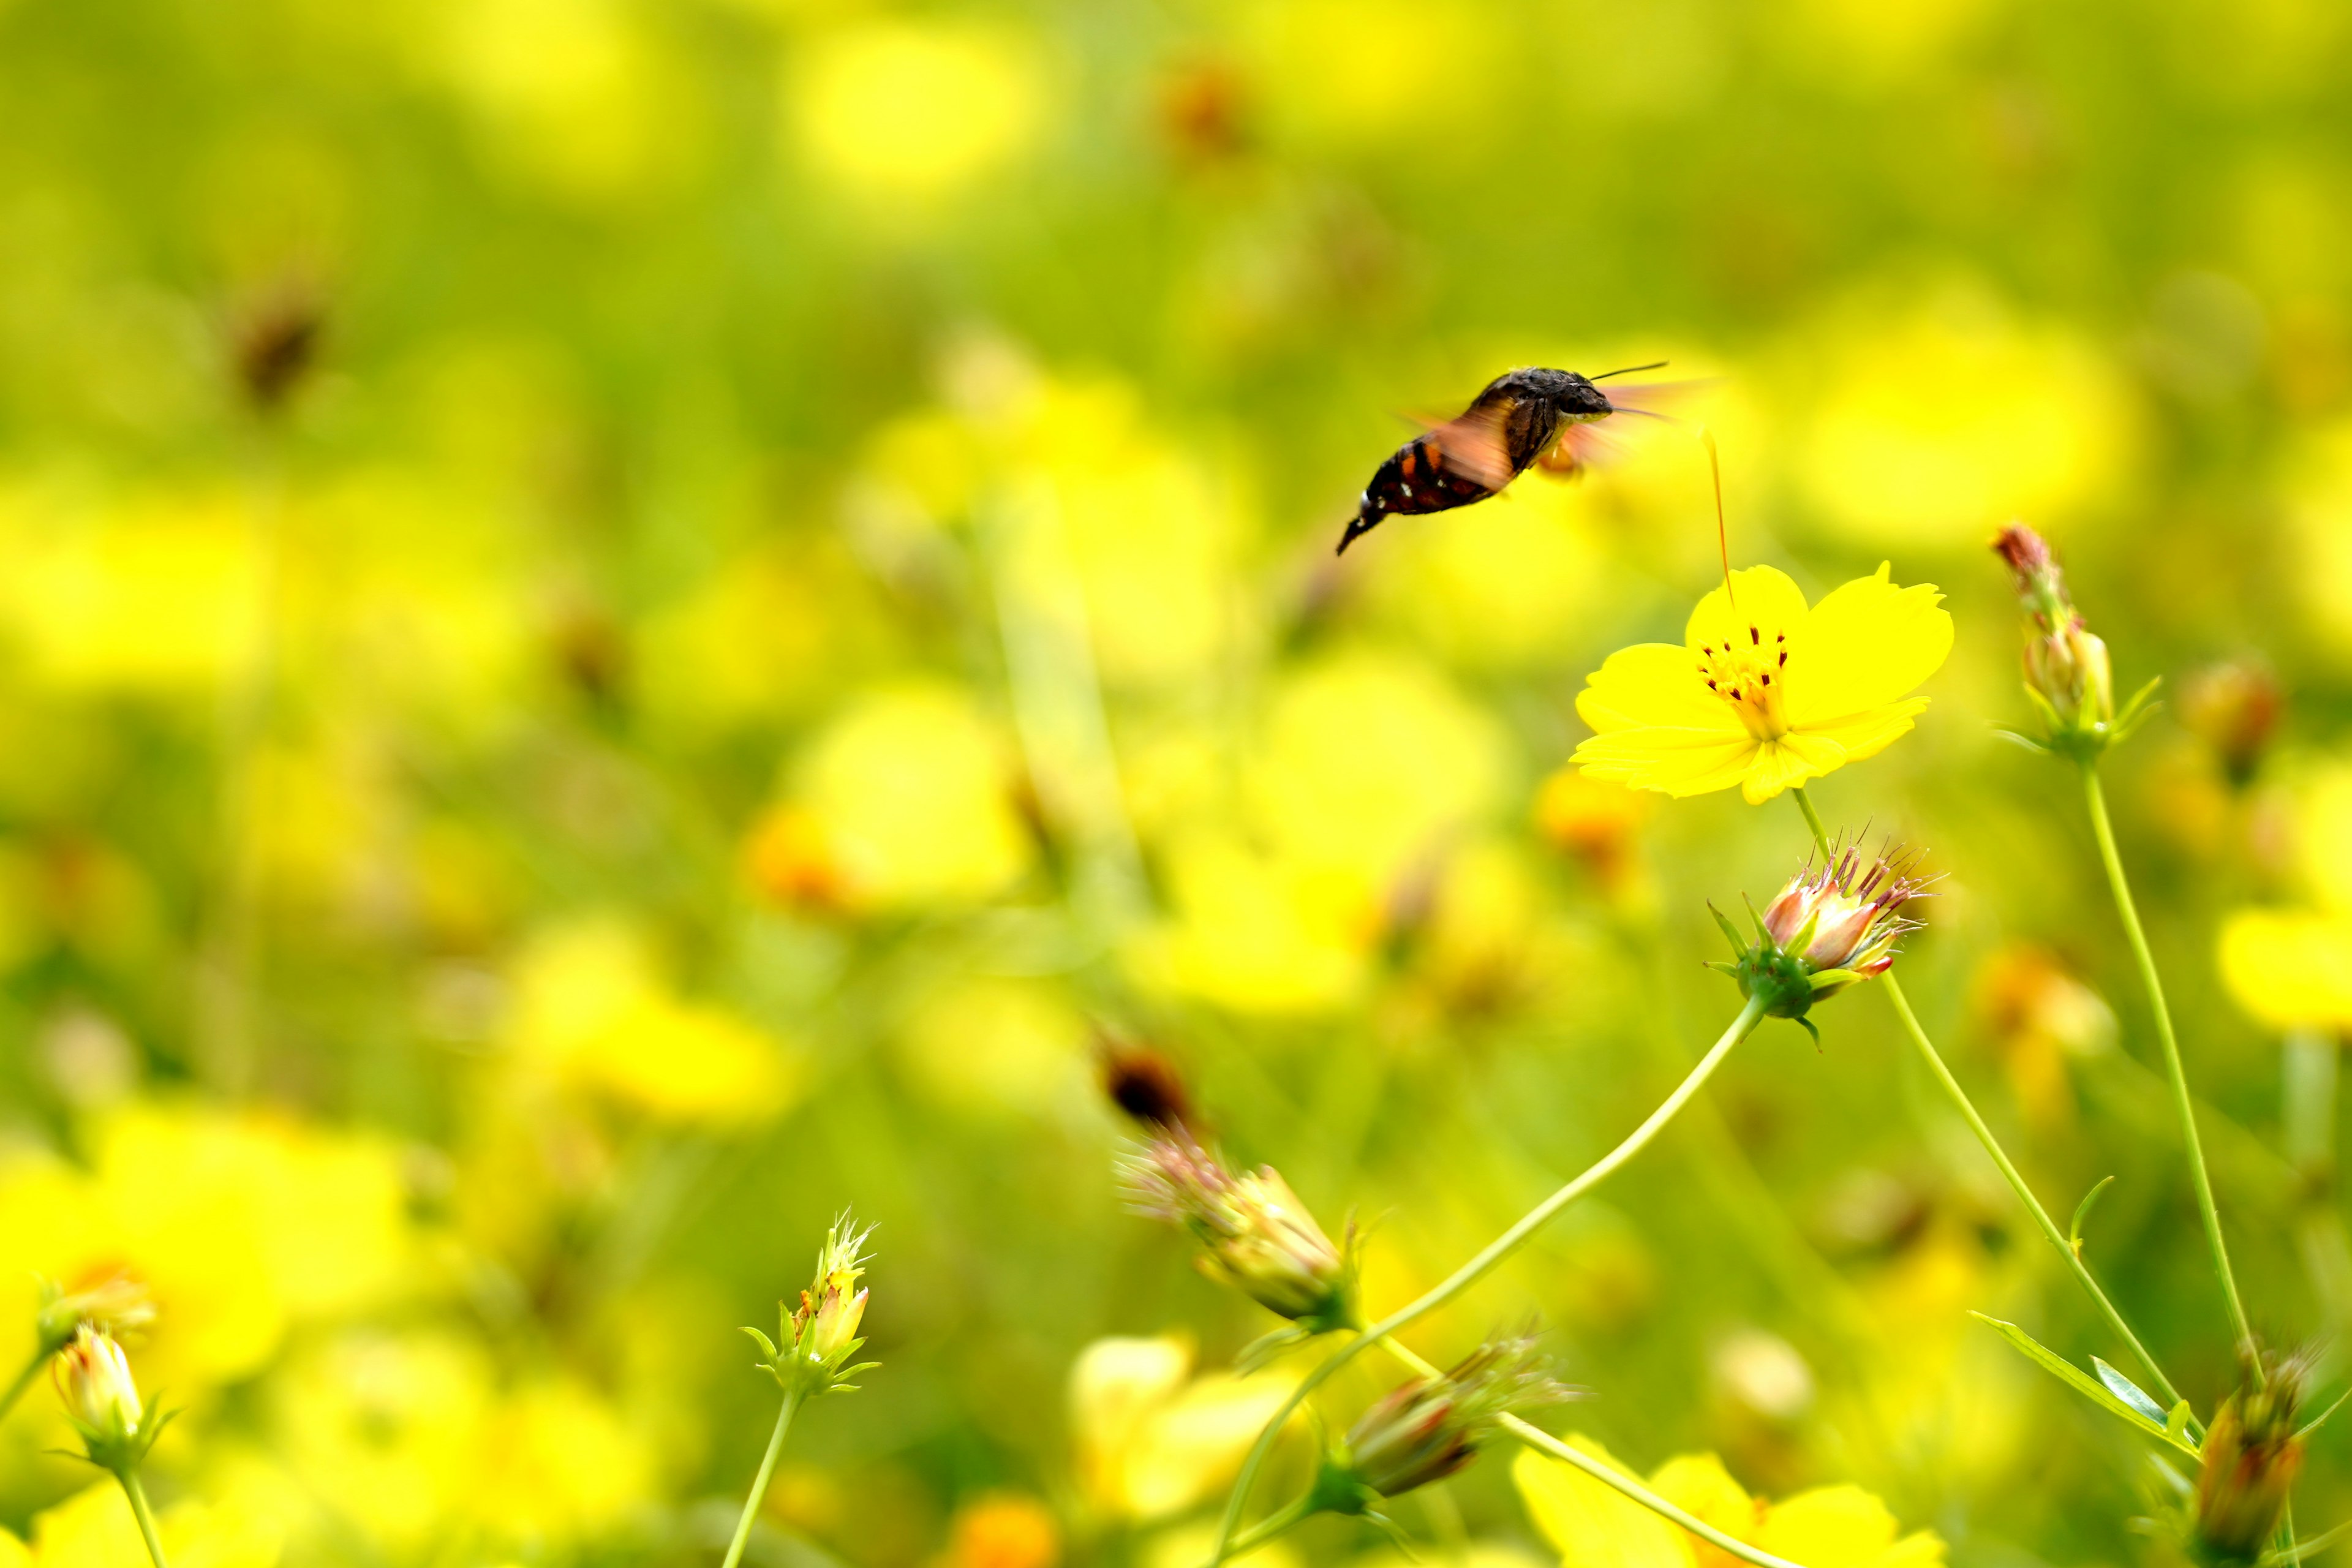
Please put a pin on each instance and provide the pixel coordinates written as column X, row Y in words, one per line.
column 1262, row 1240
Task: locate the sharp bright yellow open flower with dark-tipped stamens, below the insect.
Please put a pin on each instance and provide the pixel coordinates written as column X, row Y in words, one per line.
column 1765, row 690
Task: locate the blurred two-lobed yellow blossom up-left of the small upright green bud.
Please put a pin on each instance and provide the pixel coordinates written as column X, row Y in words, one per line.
column 596, row 1014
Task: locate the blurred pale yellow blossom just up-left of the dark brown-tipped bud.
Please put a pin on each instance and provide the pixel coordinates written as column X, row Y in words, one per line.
column 996, row 1047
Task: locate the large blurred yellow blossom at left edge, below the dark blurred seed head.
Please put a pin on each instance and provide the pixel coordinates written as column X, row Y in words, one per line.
column 149, row 596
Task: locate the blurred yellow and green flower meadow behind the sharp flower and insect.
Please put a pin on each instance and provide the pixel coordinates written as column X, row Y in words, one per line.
column 636, row 622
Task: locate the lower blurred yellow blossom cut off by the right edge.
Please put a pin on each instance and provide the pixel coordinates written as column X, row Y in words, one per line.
column 2292, row 967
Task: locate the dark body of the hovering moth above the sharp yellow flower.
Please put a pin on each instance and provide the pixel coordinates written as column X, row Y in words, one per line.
column 1523, row 420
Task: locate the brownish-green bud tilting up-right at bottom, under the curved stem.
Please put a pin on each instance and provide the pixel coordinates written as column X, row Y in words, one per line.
column 1434, row 1426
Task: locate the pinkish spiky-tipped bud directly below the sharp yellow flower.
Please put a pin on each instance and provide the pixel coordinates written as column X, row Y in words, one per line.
column 1829, row 930
